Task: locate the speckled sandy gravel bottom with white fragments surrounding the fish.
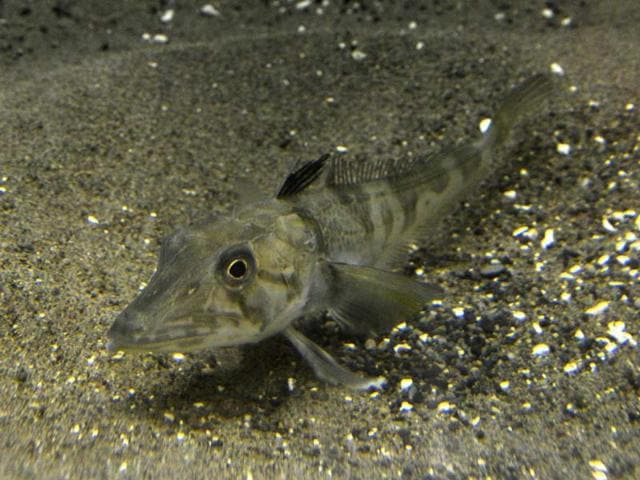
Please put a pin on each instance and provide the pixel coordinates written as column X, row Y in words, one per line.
column 529, row 369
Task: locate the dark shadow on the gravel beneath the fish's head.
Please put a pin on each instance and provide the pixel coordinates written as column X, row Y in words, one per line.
column 255, row 383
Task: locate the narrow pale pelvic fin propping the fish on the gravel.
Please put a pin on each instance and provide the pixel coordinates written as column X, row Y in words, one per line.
column 325, row 366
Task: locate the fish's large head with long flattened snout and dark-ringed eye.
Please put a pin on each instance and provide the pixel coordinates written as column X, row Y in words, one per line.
column 227, row 282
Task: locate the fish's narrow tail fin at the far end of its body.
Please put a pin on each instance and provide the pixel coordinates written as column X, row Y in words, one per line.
column 524, row 99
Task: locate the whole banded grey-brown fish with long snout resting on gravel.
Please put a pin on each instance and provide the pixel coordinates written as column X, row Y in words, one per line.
column 327, row 242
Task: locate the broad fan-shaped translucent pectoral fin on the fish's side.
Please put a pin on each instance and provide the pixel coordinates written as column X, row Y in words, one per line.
column 368, row 300
